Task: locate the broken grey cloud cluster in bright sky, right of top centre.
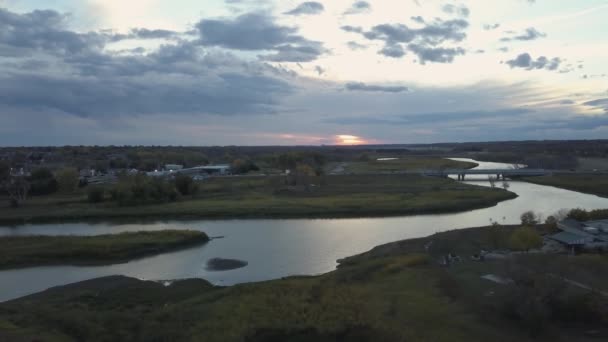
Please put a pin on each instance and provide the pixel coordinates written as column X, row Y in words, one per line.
column 424, row 42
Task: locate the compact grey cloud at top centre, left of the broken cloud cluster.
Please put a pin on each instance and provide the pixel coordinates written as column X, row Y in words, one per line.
column 255, row 31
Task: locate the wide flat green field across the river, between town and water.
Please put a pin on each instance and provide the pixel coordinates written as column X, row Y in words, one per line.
column 253, row 197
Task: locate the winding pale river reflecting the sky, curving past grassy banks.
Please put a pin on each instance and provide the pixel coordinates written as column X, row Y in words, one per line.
column 279, row 248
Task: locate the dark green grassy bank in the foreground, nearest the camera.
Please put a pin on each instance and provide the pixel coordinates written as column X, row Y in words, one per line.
column 396, row 292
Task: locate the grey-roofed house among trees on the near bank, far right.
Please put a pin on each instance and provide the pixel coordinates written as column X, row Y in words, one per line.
column 582, row 235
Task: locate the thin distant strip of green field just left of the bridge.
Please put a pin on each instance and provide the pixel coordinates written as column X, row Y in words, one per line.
column 404, row 164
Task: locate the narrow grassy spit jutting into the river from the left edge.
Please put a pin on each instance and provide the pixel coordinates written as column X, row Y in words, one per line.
column 23, row 251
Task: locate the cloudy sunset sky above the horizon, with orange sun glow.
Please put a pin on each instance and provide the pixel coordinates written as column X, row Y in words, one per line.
column 266, row 72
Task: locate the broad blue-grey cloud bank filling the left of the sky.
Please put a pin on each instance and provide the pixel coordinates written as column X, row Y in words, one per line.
column 74, row 74
